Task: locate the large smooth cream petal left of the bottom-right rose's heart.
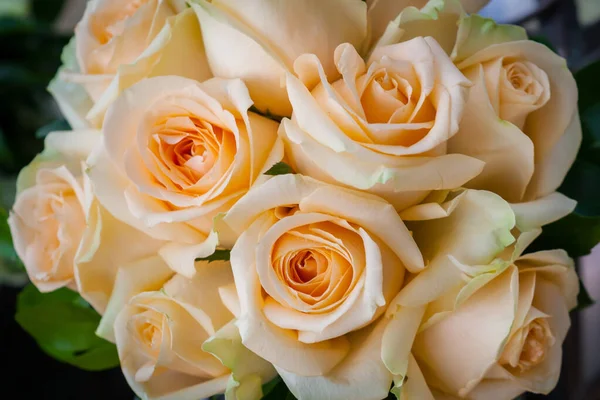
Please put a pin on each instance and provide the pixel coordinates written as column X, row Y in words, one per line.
column 461, row 347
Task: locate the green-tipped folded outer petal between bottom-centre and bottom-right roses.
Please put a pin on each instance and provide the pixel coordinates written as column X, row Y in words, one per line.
column 477, row 230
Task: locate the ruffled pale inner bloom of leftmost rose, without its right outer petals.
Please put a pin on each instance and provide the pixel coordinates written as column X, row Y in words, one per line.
column 49, row 218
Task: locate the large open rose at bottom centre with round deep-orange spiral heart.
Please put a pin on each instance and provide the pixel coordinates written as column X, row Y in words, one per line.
column 314, row 264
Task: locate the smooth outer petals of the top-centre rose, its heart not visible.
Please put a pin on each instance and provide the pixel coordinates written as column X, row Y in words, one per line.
column 259, row 40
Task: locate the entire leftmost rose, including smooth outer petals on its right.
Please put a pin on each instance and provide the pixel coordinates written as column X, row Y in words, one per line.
column 61, row 233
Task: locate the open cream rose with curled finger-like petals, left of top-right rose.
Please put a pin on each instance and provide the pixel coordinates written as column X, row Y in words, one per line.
column 384, row 126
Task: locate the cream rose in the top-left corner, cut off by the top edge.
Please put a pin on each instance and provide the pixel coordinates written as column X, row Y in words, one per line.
column 119, row 42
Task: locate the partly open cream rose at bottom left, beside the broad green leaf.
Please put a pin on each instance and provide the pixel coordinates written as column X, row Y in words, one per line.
column 165, row 339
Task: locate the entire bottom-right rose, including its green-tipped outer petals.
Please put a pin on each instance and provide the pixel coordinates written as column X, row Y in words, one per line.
column 492, row 320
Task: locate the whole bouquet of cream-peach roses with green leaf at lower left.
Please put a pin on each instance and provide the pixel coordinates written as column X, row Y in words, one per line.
column 346, row 194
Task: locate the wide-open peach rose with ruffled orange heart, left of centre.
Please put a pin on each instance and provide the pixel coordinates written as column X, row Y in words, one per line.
column 175, row 153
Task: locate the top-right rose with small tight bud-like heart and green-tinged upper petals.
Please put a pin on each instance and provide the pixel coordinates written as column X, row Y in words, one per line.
column 521, row 117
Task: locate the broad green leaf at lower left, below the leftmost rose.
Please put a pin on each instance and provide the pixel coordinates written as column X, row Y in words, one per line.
column 64, row 326
